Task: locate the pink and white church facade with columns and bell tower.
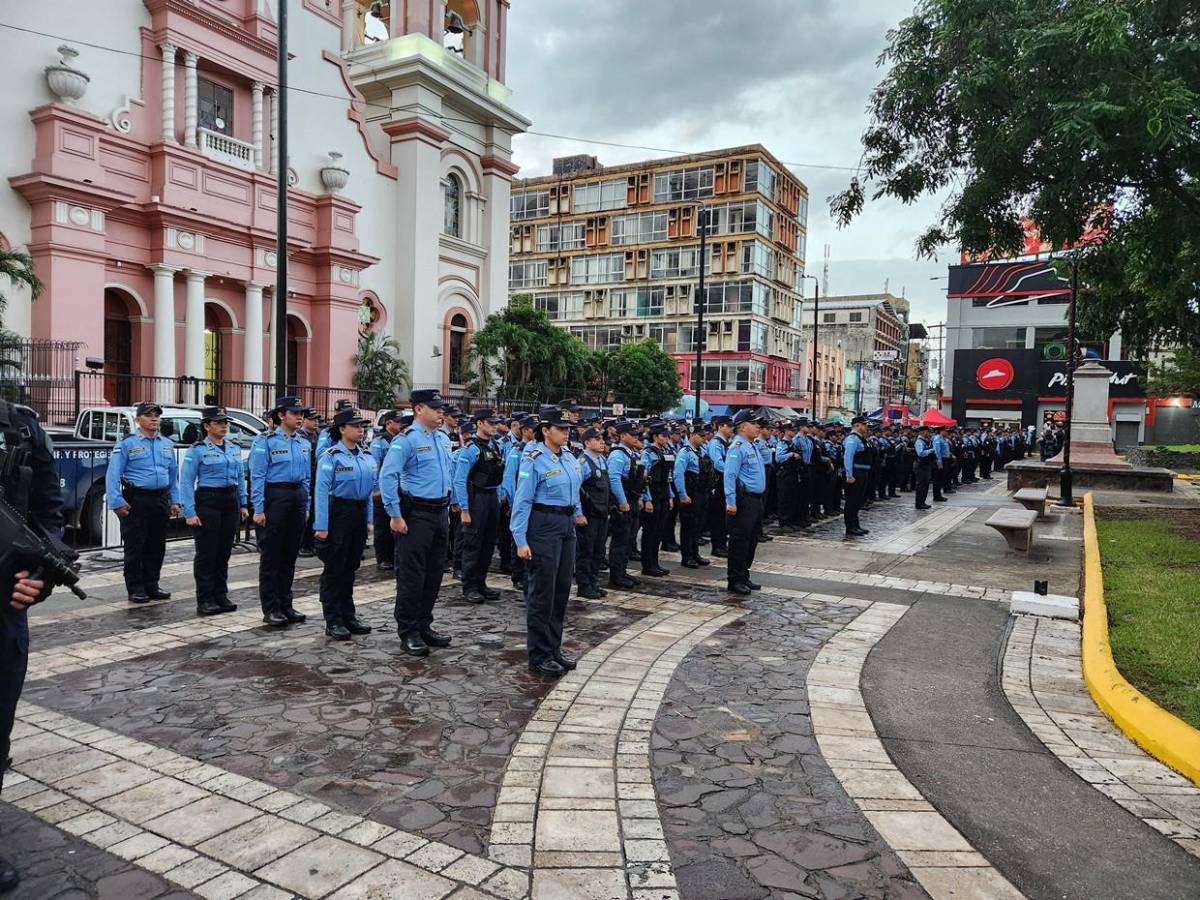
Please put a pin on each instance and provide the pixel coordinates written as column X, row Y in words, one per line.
column 154, row 227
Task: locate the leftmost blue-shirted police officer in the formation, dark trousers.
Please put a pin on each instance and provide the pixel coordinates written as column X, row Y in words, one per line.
column 142, row 485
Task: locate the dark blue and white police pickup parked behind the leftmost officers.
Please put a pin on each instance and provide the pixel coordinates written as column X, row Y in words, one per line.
column 83, row 455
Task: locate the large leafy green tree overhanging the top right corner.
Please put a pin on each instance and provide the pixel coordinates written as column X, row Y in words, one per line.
column 1079, row 115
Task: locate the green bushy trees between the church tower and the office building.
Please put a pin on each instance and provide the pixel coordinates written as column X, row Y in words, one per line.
column 520, row 347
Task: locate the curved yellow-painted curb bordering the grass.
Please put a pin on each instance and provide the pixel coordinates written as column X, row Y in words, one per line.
column 1167, row 737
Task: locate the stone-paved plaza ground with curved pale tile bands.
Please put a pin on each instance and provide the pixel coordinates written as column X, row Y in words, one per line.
column 704, row 749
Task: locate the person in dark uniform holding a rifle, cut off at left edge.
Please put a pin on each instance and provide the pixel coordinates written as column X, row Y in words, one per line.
column 29, row 482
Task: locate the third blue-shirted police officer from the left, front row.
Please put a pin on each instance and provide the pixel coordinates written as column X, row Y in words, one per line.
column 280, row 471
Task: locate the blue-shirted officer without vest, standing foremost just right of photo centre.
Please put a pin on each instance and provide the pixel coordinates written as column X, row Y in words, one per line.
column 745, row 488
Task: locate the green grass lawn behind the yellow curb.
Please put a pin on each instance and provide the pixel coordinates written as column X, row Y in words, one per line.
column 1153, row 587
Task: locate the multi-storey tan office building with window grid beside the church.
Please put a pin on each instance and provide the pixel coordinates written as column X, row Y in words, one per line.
column 614, row 256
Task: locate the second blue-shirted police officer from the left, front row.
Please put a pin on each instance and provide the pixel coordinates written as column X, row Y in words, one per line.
column 213, row 490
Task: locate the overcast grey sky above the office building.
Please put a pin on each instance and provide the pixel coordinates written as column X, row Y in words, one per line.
column 700, row 75
